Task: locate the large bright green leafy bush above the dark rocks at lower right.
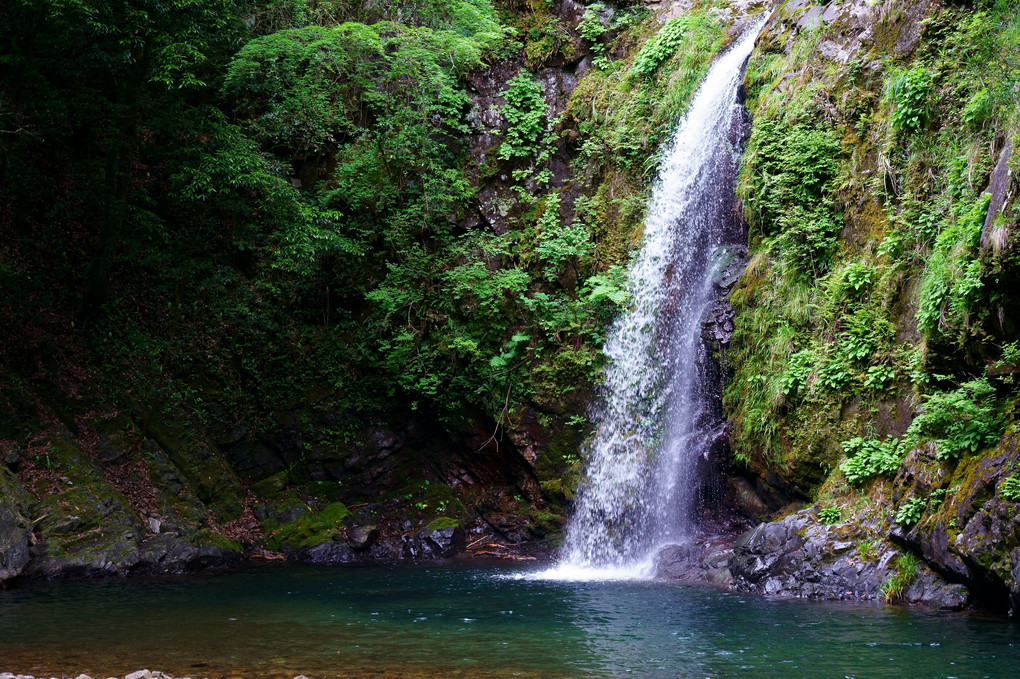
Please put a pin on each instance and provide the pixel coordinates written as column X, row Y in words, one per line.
column 961, row 422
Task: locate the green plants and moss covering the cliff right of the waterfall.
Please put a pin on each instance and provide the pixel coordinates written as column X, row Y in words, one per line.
column 825, row 338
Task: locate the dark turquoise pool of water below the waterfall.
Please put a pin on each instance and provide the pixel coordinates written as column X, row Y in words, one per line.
column 470, row 621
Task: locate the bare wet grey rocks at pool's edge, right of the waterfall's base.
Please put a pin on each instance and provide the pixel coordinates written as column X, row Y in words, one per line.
column 801, row 557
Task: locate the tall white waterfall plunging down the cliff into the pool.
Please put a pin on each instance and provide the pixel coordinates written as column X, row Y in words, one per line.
column 657, row 412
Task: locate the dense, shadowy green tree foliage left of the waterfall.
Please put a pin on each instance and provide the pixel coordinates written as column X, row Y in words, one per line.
column 248, row 182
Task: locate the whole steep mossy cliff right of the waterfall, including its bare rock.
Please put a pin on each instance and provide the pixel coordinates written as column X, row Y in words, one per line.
column 877, row 346
